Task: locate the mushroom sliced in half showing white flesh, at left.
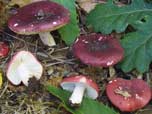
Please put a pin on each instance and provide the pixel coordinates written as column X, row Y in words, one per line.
column 22, row 67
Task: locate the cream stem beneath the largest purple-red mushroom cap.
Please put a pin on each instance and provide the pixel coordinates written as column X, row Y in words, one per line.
column 47, row 38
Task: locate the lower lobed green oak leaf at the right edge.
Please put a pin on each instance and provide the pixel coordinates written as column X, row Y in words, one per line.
column 138, row 47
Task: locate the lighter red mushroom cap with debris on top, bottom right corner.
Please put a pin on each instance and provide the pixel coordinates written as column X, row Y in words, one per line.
column 128, row 95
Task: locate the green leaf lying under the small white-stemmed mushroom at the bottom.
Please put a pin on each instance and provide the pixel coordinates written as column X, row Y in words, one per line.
column 88, row 106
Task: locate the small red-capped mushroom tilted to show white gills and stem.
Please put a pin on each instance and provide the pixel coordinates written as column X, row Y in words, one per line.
column 80, row 85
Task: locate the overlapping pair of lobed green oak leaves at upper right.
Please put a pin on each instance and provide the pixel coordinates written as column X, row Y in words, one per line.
column 108, row 17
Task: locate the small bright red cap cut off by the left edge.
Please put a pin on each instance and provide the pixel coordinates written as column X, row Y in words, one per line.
column 4, row 49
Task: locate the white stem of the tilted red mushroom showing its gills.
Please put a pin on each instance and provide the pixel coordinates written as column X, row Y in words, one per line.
column 77, row 94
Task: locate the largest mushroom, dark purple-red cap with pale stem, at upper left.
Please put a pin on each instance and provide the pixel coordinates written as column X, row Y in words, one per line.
column 39, row 18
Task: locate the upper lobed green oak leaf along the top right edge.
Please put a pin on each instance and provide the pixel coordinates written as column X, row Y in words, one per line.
column 108, row 17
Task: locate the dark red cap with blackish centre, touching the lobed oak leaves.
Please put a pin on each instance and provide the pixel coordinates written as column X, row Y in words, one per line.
column 98, row 50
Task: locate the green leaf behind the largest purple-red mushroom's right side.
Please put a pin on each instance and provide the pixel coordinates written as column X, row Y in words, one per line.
column 71, row 30
